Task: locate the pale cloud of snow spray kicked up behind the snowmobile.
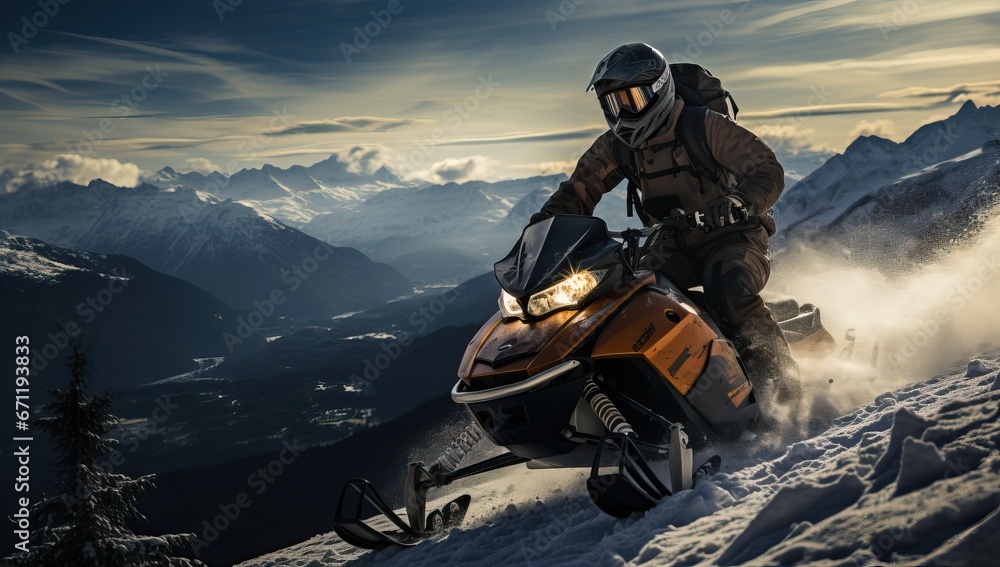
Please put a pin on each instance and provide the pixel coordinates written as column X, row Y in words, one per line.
column 904, row 326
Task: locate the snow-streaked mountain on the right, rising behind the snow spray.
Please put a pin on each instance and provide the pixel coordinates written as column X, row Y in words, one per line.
column 882, row 200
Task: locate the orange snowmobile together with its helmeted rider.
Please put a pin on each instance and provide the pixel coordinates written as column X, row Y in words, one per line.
column 593, row 360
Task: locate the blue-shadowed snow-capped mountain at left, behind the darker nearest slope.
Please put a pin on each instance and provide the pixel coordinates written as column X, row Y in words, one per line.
column 241, row 255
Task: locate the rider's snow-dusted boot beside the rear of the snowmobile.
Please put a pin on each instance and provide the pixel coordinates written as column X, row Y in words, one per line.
column 768, row 360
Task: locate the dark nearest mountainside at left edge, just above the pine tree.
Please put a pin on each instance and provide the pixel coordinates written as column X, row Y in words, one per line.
column 141, row 324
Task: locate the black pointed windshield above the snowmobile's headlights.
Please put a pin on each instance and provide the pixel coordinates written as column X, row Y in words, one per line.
column 552, row 250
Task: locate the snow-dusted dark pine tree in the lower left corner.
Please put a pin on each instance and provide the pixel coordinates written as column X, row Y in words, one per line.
column 85, row 523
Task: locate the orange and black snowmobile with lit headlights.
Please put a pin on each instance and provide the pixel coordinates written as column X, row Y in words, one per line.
column 592, row 360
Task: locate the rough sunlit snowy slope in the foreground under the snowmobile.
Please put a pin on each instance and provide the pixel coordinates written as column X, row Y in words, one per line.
column 913, row 476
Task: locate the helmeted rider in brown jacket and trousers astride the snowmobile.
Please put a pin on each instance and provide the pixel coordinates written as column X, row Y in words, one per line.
column 637, row 93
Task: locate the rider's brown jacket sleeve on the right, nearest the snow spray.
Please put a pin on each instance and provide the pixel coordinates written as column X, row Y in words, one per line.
column 759, row 175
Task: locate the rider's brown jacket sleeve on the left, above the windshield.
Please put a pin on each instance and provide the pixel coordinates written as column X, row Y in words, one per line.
column 596, row 173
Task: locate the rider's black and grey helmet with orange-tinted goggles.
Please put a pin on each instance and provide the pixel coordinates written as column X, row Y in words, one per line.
column 636, row 91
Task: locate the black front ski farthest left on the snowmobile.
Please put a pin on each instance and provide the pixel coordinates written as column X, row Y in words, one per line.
column 355, row 525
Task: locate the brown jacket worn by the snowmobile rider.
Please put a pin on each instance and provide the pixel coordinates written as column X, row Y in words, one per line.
column 751, row 166
